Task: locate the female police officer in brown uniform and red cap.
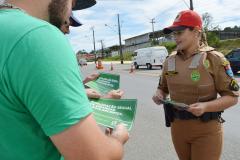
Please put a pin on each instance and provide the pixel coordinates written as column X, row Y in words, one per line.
column 194, row 75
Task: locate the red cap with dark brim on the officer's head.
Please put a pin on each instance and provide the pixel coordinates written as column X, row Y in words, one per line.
column 185, row 19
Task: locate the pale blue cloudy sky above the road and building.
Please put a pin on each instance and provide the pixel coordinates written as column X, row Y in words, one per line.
column 136, row 15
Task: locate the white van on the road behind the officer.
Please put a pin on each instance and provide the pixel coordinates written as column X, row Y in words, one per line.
column 151, row 56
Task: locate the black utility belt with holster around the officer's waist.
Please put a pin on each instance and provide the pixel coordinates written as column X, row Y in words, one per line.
column 171, row 113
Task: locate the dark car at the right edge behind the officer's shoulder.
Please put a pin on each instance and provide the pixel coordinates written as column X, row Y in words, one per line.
column 234, row 59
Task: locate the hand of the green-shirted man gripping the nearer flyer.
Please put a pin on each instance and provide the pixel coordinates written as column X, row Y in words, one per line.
column 120, row 133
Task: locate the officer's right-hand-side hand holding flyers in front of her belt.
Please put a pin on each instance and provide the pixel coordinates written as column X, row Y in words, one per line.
column 197, row 109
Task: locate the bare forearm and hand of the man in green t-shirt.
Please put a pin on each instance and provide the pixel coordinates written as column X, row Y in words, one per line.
column 86, row 141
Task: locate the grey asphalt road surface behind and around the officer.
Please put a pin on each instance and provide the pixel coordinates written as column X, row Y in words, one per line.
column 150, row 139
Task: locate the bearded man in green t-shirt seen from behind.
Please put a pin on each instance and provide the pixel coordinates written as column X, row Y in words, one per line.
column 44, row 110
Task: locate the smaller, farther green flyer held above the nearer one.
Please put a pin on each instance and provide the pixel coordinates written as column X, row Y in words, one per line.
column 105, row 83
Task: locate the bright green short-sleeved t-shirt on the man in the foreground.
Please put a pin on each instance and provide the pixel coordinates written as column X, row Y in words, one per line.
column 41, row 90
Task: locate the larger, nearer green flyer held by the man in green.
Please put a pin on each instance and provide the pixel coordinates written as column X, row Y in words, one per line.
column 110, row 112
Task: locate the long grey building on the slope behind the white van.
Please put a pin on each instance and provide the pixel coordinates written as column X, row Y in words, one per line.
column 145, row 40
